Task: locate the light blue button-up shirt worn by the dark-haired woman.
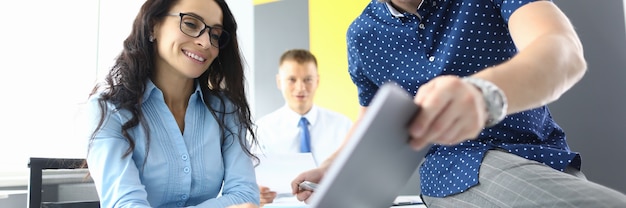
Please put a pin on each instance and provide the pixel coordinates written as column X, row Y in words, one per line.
column 181, row 169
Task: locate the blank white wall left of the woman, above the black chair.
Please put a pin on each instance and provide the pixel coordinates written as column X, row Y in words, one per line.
column 48, row 54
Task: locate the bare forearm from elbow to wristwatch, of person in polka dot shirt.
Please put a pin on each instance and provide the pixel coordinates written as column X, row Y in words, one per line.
column 538, row 75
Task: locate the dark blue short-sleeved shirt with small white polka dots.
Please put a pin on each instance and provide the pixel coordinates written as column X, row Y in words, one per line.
column 451, row 37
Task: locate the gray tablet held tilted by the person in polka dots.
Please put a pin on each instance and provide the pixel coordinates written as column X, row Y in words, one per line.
column 377, row 161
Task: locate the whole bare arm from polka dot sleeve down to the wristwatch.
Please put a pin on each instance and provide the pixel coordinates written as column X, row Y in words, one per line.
column 550, row 59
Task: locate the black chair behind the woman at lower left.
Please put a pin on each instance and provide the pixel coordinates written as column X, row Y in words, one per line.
column 64, row 171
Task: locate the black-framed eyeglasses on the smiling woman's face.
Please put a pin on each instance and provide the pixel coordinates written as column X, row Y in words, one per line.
column 192, row 26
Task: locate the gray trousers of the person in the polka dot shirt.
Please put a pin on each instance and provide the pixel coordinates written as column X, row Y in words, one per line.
column 507, row 180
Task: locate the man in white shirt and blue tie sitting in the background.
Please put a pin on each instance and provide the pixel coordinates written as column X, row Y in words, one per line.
column 299, row 125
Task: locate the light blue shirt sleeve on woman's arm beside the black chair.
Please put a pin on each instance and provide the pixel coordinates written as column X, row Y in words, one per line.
column 116, row 178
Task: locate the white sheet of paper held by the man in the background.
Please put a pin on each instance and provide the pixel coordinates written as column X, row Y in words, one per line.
column 277, row 170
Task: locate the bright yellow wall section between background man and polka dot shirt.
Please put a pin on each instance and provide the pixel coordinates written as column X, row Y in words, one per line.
column 328, row 24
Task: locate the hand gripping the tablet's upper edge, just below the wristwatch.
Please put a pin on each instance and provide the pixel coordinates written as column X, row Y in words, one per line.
column 452, row 111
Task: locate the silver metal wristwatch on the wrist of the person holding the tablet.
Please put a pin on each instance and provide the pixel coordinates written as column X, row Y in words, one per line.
column 495, row 100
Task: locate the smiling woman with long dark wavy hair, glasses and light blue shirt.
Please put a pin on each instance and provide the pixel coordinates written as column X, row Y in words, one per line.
column 169, row 123
